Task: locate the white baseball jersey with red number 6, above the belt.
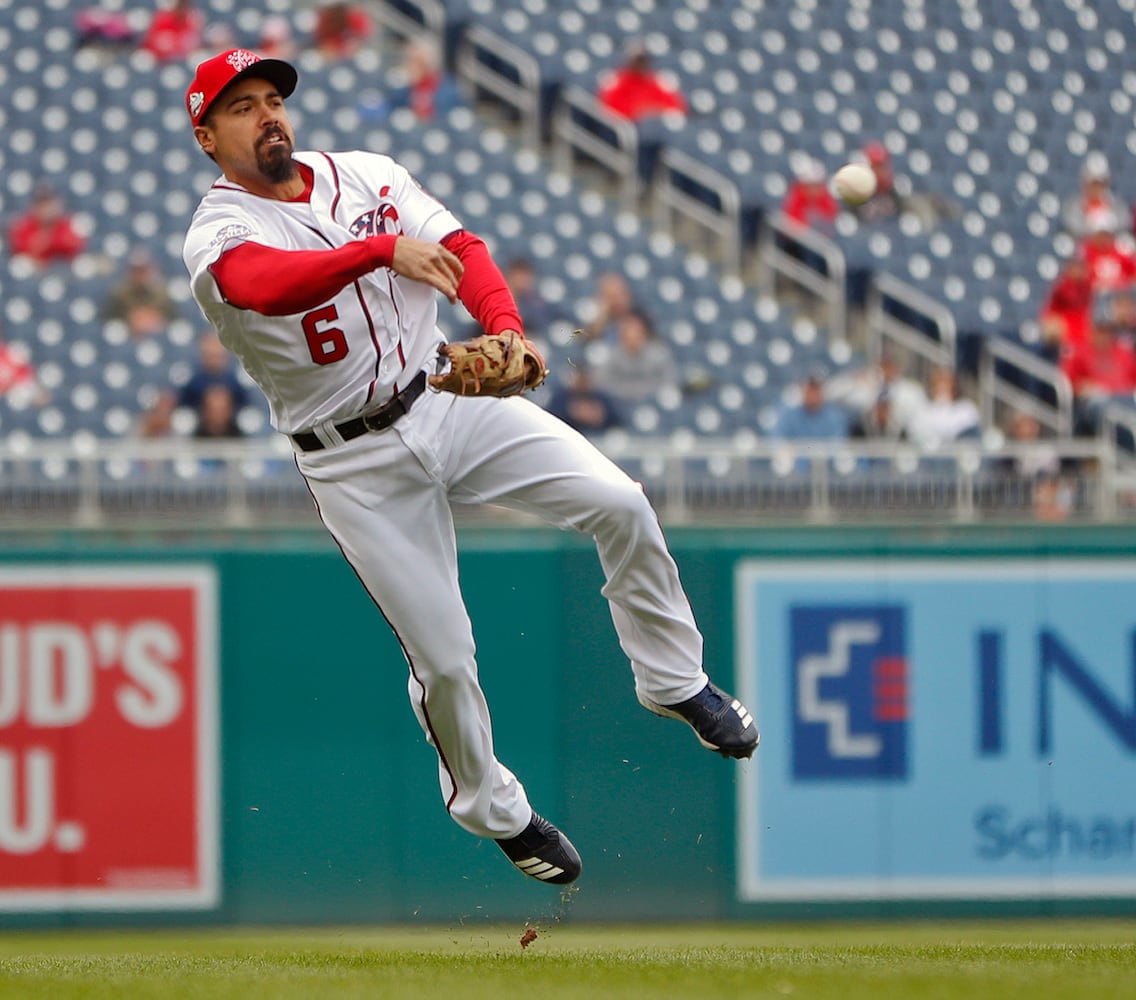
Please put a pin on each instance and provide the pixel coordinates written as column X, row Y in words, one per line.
column 330, row 363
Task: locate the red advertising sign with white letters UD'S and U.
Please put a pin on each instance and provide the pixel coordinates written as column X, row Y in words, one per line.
column 108, row 737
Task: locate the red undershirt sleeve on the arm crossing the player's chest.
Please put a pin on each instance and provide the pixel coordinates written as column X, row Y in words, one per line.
column 278, row 282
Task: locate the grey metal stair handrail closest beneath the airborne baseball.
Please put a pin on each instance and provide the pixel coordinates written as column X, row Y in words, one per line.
column 809, row 260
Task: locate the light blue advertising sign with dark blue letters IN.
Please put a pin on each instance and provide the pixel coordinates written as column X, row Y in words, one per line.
column 939, row 729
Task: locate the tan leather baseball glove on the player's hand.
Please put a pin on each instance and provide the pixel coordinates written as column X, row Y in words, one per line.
column 503, row 364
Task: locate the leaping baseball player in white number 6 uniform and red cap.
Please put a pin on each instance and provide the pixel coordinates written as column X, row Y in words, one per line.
column 321, row 272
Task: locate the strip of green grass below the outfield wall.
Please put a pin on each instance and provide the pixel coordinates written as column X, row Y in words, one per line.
column 1087, row 960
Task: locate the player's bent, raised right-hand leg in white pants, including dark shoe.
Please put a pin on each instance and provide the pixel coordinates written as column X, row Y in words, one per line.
column 538, row 464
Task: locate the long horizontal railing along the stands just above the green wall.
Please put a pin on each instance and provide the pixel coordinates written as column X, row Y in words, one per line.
column 190, row 485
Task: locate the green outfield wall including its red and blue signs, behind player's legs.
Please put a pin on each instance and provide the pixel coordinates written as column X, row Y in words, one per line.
column 216, row 730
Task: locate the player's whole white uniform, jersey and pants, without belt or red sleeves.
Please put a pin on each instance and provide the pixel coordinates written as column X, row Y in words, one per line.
column 387, row 497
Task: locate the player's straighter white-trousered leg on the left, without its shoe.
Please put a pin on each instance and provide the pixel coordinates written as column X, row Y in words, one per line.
column 392, row 521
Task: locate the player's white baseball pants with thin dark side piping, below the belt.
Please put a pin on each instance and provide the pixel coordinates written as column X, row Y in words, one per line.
column 387, row 499
